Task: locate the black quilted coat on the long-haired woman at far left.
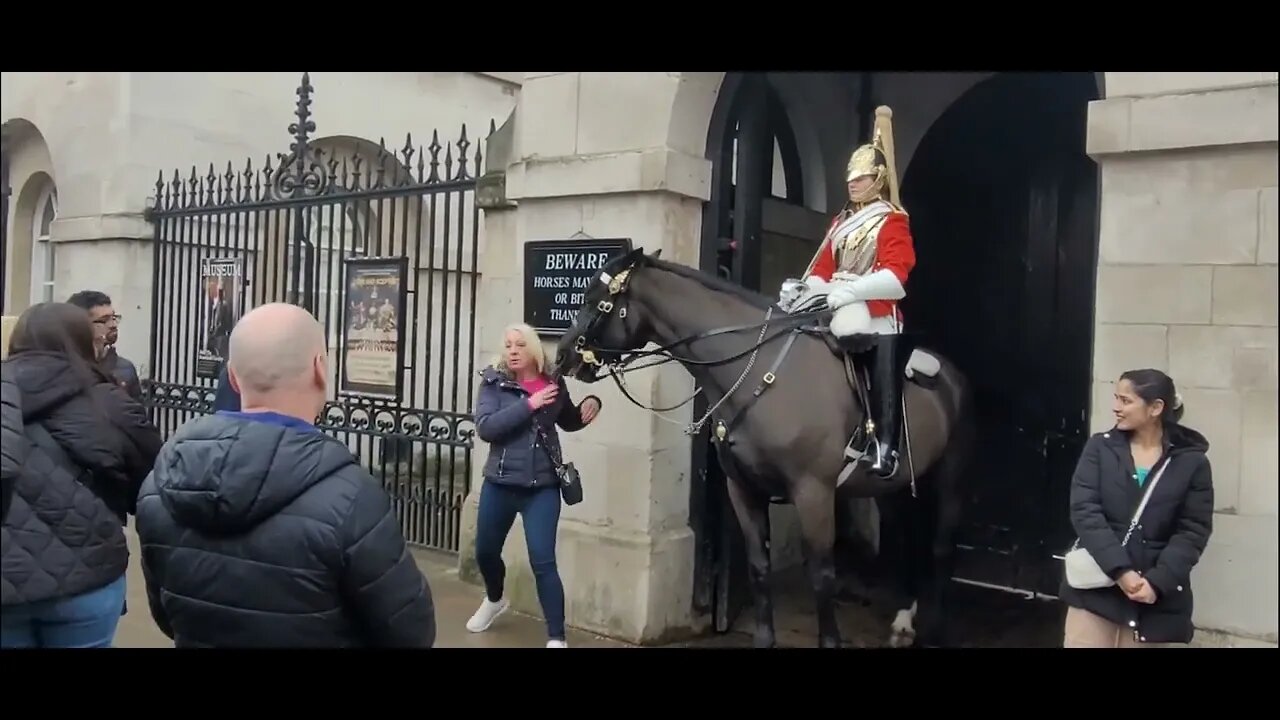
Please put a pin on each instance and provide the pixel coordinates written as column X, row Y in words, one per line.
column 65, row 536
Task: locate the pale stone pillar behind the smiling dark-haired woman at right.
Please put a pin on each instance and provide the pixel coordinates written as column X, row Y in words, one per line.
column 1187, row 284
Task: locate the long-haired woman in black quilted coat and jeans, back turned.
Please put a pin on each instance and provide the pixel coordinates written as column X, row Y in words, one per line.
column 89, row 449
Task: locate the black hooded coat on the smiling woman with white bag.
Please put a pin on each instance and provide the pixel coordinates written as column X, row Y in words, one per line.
column 1165, row 546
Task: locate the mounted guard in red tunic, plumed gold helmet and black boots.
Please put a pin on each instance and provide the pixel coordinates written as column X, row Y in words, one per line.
column 862, row 268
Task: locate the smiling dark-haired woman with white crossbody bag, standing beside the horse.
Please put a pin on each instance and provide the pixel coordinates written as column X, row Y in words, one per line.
column 1150, row 601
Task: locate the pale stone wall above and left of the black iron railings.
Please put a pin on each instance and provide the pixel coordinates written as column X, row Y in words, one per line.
column 103, row 139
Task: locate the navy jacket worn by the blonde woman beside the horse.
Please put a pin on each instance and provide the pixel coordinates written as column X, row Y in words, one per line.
column 506, row 422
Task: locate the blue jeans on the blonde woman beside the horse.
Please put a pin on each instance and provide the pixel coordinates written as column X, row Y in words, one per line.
column 540, row 509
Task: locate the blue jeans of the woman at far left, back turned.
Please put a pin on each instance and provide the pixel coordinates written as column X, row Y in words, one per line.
column 84, row 621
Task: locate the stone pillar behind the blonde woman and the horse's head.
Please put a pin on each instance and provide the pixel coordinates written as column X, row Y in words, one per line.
column 597, row 154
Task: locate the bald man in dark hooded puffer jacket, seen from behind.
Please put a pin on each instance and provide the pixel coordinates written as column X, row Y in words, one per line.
column 260, row 531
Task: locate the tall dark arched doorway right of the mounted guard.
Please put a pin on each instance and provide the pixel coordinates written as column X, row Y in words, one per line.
column 1004, row 208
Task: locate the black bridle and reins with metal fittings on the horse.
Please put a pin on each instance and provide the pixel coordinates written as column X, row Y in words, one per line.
column 618, row 359
